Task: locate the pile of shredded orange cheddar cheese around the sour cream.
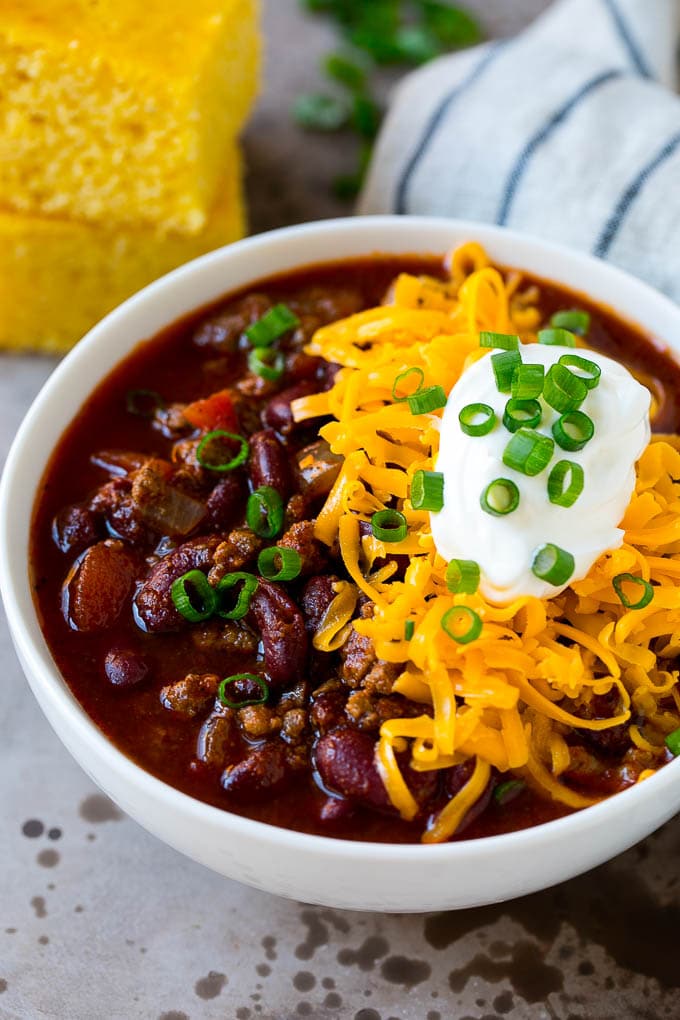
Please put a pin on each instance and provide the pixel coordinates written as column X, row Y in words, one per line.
column 509, row 699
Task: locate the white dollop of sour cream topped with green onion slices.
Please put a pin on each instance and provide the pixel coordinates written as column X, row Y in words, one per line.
column 505, row 546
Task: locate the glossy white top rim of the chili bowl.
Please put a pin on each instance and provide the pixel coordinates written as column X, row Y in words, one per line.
column 44, row 677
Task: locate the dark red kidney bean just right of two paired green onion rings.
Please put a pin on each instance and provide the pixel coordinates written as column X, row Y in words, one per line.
column 275, row 616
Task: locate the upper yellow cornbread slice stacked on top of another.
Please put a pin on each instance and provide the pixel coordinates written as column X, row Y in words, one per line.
column 123, row 111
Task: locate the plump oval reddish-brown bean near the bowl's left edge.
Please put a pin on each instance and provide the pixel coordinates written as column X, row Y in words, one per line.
column 98, row 586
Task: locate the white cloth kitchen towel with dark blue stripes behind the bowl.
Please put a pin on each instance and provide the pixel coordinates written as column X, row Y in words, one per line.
column 571, row 132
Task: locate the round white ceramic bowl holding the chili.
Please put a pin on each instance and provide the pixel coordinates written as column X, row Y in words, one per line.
column 316, row 870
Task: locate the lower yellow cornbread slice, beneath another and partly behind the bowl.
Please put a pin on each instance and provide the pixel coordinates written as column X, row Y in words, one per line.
column 59, row 278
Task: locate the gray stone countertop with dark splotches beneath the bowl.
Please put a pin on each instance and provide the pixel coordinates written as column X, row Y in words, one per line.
column 100, row 921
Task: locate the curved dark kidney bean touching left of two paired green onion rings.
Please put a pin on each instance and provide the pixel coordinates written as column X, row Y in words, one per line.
column 153, row 603
